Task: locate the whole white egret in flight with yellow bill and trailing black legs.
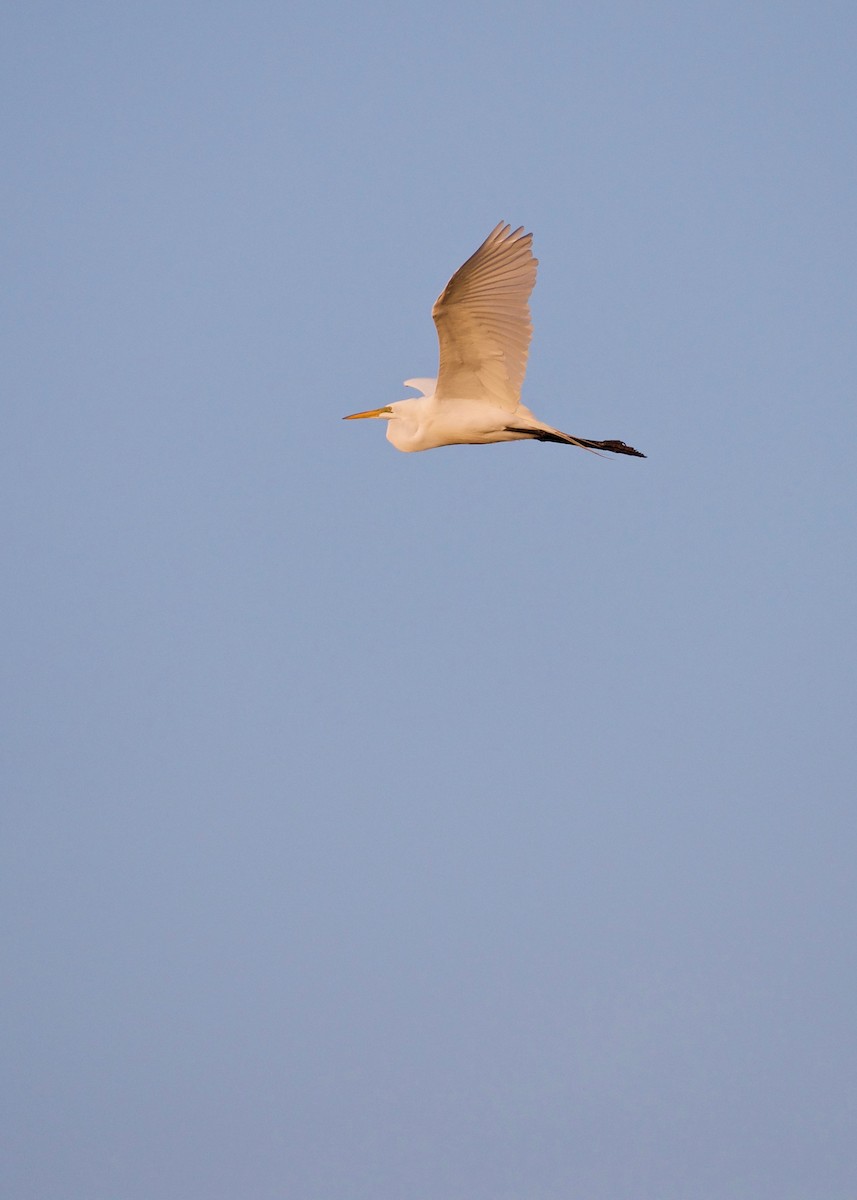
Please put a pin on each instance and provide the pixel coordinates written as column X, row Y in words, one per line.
column 484, row 328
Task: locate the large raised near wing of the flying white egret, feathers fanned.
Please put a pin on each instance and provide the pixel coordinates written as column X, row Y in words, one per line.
column 483, row 322
